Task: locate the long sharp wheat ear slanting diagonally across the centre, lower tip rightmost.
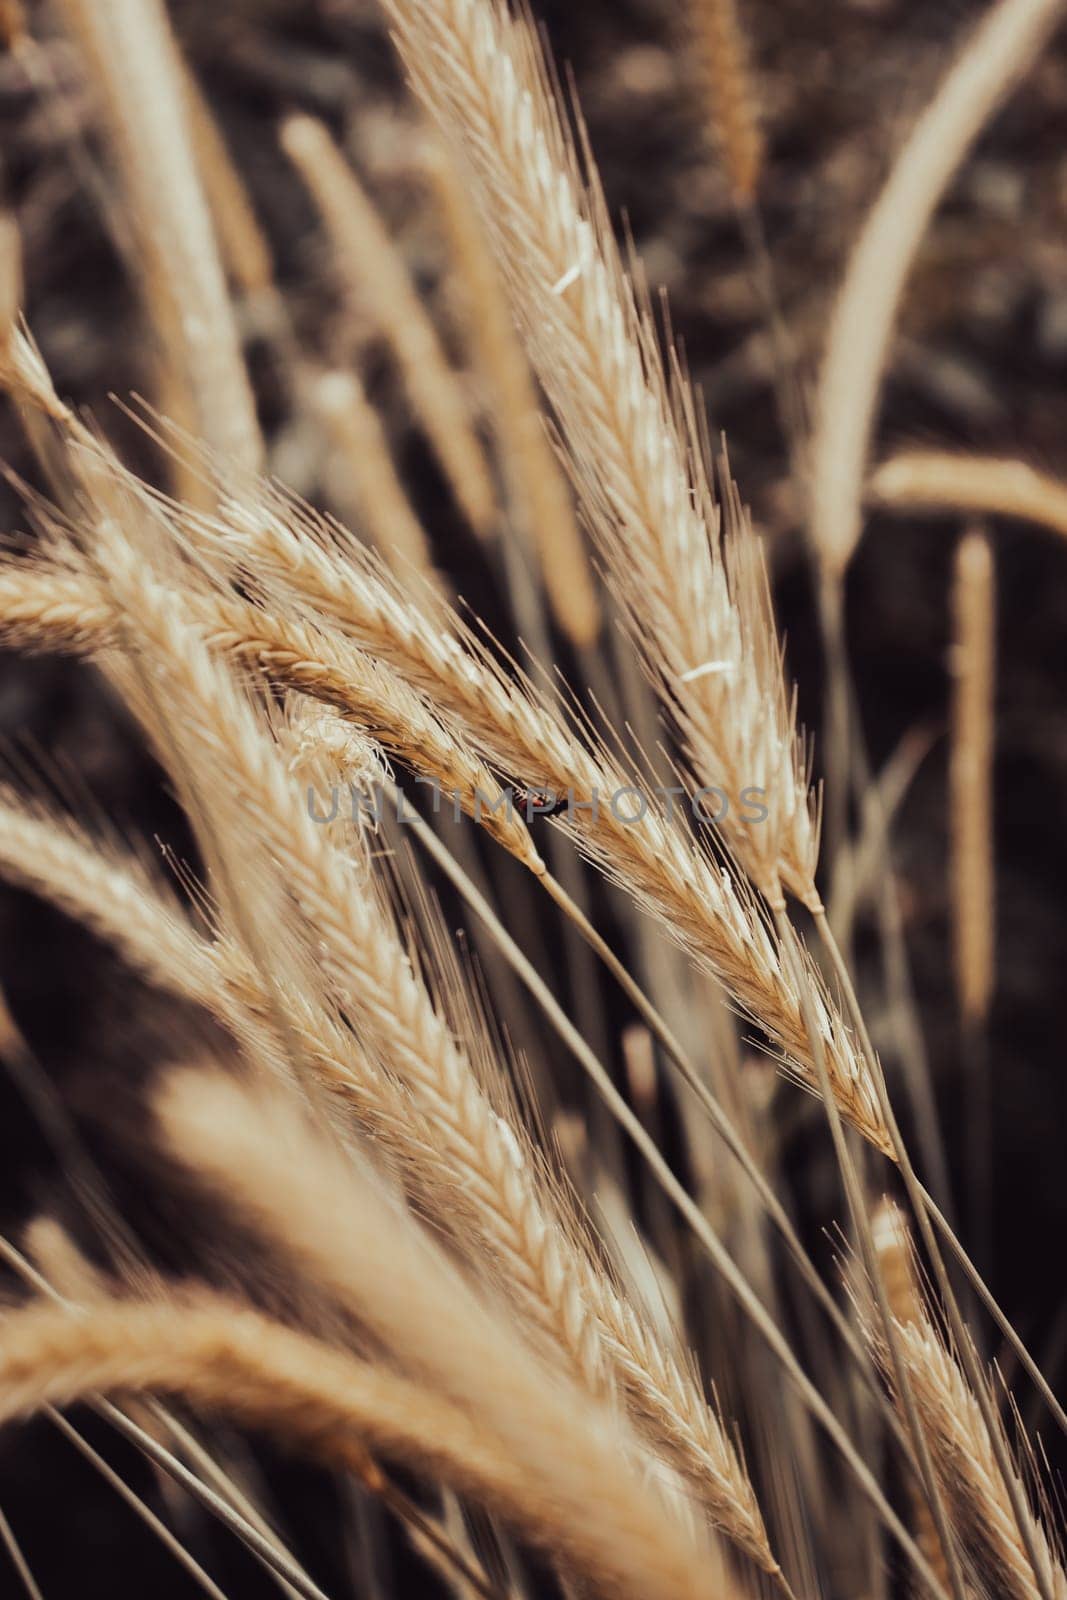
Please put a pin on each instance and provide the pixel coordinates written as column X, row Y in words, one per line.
column 711, row 913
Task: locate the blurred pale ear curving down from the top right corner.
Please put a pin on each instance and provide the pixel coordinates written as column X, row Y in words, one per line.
column 993, row 60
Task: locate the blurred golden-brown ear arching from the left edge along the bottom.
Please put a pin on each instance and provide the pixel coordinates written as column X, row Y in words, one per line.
column 238, row 1364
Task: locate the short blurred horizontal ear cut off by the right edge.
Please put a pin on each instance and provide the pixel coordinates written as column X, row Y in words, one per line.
column 986, row 486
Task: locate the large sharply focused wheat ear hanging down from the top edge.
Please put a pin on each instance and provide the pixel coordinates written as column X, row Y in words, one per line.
column 629, row 423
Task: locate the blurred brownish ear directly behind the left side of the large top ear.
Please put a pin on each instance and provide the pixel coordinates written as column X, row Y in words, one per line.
column 538, row 492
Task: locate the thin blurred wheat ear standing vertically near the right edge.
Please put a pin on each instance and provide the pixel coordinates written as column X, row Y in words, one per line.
column 972, row 775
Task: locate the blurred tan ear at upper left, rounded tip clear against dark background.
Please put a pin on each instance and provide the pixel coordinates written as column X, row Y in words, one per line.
column 377, row 274
